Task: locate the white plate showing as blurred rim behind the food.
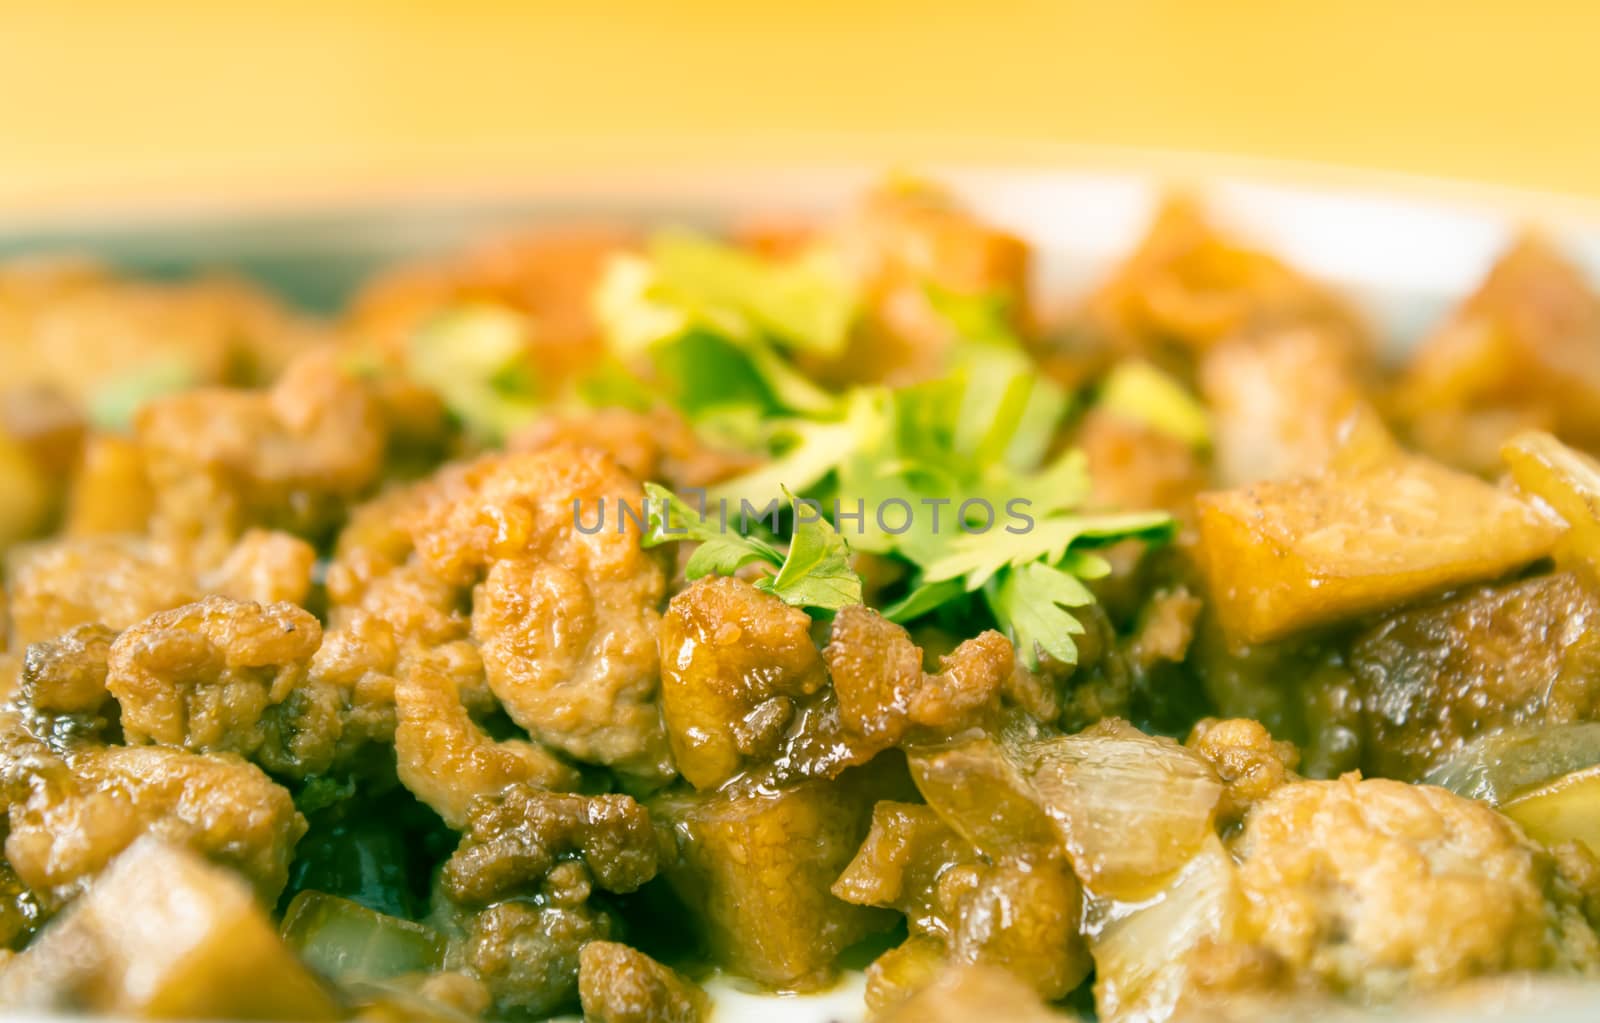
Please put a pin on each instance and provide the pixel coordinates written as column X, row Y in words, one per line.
column 1402, row 252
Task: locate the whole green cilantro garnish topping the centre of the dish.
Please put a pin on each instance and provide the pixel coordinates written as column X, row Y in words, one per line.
column 719, row 329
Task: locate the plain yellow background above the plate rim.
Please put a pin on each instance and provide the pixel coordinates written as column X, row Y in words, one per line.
column 106, row 103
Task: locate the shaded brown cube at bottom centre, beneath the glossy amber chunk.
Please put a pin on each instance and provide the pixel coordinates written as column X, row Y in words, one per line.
column 758, row 865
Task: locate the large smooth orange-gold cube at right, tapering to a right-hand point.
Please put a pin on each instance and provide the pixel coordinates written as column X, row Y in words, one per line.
column 1290, row 555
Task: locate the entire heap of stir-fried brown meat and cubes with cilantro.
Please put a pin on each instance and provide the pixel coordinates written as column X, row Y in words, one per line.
column 607, row 614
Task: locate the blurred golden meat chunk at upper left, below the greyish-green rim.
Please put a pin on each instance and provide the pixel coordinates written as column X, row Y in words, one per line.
column 294, row 457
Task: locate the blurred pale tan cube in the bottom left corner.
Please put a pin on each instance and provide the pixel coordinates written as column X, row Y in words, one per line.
column 166, row 936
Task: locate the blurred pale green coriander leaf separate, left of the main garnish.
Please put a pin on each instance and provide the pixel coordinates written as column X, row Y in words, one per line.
column 476, row 359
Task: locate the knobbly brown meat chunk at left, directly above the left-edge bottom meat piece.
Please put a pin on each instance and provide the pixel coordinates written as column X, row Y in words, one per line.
column 223, row 676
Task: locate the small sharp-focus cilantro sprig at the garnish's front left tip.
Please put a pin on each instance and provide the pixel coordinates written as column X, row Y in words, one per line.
column 814, row 572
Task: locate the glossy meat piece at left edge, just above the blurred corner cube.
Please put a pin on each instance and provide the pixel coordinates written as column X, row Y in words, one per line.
column 71, row 816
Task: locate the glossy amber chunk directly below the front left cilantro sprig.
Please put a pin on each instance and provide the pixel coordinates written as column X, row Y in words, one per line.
column 734, row 665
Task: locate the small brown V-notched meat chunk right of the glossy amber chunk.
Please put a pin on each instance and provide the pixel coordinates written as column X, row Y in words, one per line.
column 886, row 696
